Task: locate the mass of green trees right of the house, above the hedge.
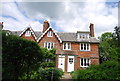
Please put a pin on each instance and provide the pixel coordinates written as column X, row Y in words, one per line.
column 109, row 46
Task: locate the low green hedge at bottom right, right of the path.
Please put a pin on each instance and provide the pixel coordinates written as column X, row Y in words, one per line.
column 106, row 71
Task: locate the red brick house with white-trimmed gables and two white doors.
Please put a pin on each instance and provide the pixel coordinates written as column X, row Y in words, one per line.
column 73, row 50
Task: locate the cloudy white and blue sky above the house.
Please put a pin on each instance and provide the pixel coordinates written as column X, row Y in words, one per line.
column 63, row 15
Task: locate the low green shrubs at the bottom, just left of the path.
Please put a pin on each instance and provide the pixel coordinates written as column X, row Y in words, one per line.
column 48, row 74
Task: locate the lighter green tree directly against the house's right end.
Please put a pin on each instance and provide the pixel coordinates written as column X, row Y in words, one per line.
column 105, row 46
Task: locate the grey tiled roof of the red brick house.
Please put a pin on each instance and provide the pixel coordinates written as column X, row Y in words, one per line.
column 64, row 36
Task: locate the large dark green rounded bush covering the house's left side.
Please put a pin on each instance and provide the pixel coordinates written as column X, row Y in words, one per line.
column 19, row 57
